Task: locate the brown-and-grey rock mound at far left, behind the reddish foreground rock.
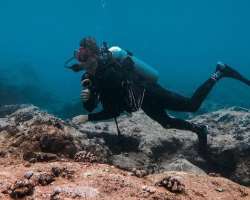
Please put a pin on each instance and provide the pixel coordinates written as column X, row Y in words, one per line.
column 39, row 136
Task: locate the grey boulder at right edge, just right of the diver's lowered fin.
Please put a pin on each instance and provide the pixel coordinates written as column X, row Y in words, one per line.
column 229, row 146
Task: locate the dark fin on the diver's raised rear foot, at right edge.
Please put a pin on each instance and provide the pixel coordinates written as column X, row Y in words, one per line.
column 226, row 71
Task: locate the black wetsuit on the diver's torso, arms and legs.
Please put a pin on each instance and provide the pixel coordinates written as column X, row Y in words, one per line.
column 107, row 89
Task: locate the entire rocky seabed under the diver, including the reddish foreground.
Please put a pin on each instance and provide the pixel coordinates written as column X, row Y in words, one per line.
column 31, row 140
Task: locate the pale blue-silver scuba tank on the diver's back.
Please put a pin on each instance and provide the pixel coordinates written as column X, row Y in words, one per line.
column 141, row 67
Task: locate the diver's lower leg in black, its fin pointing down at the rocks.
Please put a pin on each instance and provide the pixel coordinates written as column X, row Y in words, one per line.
column 158, row 114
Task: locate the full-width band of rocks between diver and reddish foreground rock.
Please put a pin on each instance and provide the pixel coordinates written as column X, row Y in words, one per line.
column 143, row 146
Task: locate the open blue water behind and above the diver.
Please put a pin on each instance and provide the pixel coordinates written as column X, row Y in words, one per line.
column 183, row 40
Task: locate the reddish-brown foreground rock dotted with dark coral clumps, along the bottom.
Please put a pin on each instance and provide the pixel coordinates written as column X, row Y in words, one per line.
column 101, row 181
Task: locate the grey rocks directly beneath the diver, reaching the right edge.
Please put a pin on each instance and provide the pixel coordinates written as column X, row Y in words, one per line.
column 144, row 144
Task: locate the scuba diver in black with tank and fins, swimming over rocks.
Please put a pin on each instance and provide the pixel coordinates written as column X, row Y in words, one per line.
column 123, row 83
